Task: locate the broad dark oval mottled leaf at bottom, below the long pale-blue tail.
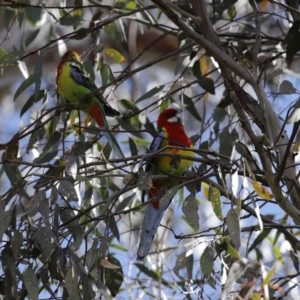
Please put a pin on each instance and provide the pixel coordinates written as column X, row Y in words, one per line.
column 114, row 277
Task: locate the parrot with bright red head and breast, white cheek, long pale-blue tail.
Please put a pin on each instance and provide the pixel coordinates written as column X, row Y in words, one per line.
column 171, row 134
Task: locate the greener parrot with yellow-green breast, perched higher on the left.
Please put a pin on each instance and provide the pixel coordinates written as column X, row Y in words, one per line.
column 75, row 85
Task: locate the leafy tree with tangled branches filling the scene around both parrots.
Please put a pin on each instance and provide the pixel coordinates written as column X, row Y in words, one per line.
column 71, row 212
